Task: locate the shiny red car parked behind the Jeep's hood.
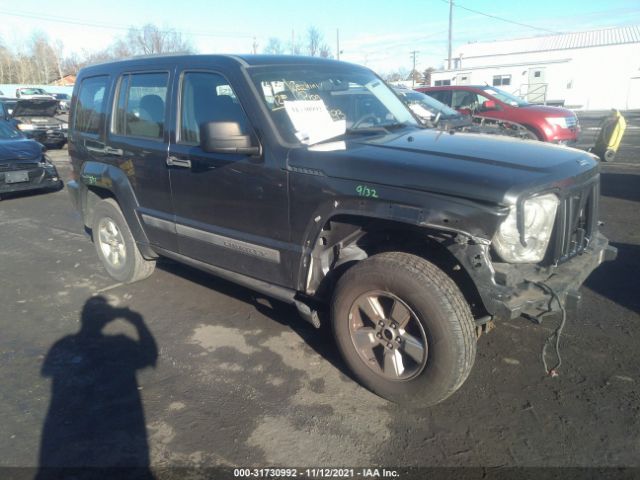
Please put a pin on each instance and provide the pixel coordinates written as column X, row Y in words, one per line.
column 549, row 124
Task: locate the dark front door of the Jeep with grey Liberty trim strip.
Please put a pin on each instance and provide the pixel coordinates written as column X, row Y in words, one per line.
column 230, row 210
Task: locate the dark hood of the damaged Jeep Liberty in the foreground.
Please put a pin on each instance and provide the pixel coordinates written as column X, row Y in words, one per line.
column 484, row 168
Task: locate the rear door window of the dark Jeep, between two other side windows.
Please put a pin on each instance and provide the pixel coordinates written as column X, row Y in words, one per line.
column 140, row 105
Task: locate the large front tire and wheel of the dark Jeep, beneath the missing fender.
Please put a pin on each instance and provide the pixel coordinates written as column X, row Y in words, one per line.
column 405, row 286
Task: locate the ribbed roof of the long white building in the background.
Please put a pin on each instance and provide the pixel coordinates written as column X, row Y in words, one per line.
column 564, row 41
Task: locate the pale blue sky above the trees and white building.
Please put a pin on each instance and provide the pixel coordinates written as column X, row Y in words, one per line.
column 380, row 34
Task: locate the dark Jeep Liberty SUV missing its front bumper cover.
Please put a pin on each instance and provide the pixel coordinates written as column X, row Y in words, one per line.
column 310, row 181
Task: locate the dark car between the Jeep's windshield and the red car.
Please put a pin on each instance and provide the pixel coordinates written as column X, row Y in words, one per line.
column 439, row 115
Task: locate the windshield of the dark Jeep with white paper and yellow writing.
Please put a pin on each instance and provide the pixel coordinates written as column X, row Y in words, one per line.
column 310, row 104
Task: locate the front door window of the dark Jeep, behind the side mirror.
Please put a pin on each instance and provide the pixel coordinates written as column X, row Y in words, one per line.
column 207, row 97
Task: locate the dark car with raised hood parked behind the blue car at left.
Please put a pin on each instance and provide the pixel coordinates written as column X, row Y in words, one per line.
column 36, row 119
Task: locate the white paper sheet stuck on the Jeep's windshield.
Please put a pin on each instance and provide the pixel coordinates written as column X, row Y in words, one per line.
column 312, row 121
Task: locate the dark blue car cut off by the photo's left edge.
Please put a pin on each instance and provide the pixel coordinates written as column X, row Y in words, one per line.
column 23, row 163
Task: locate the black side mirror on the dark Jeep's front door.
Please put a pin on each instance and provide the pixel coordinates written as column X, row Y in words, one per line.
column 226, row 137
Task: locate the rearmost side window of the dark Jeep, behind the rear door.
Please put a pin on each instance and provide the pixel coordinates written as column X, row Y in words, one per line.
column 90, row 108
